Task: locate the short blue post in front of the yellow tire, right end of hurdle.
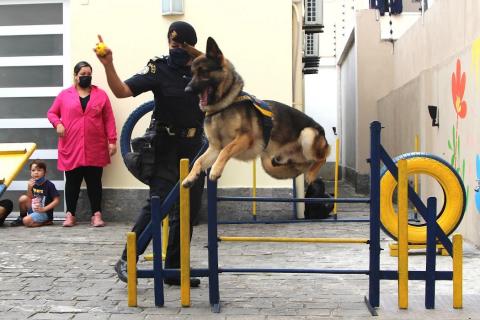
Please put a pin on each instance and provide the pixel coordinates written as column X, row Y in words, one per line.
column 431, row 253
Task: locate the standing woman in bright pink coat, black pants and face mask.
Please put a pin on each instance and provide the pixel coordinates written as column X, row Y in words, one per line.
column 83, row 118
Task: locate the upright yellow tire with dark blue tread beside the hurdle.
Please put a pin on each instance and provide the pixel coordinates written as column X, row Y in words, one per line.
column 450, row 215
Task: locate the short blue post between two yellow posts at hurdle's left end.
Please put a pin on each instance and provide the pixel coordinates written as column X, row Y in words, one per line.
column 157, row 251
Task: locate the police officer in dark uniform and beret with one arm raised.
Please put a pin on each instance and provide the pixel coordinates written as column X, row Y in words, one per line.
column 179, row 127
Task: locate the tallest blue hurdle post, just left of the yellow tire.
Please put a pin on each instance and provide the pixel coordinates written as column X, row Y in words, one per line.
column 374, row 263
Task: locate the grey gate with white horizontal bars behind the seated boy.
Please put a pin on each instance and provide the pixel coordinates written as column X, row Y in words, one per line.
column 34, row 68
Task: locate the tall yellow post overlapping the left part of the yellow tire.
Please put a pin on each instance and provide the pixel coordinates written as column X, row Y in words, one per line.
column 402, row 235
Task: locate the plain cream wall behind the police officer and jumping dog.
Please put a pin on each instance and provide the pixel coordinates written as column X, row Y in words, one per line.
column 255, row 35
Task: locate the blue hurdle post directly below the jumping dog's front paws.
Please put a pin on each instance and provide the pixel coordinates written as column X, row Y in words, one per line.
column 213, row 285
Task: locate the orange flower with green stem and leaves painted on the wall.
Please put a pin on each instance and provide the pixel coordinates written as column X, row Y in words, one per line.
column 459, row 81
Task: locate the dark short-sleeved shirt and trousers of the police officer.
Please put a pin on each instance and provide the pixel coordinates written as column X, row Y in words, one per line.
column 179, row 123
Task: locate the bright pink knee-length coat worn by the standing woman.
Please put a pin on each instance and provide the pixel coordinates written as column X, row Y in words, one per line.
column 87, row 134
